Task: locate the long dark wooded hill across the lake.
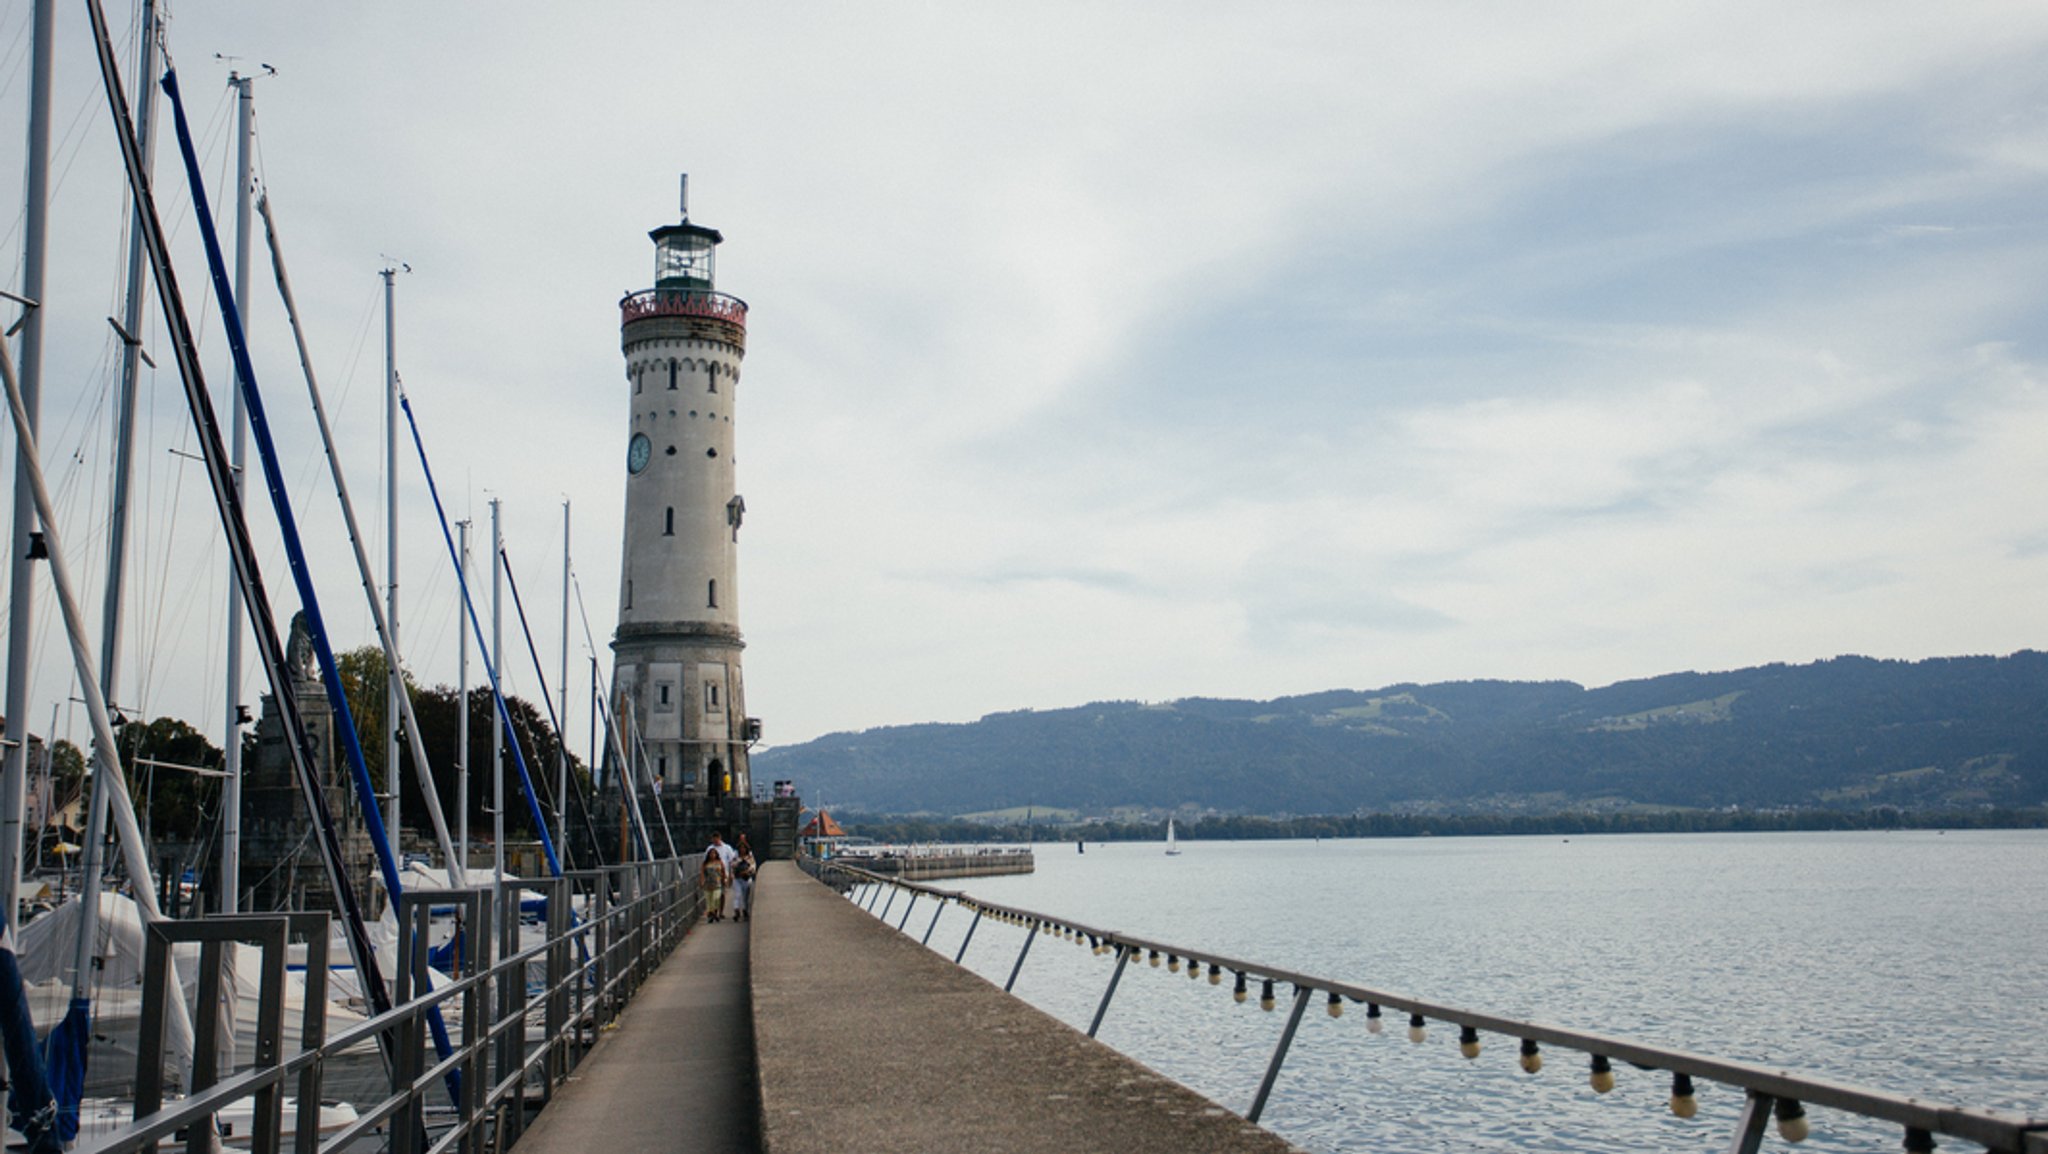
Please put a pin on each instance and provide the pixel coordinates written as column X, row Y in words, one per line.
column 1848, row 733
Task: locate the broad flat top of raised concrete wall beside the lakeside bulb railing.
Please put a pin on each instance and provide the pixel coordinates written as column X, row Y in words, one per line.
column 871, row 1042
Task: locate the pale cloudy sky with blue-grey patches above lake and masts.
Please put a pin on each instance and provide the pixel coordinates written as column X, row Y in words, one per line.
column 1115, row 352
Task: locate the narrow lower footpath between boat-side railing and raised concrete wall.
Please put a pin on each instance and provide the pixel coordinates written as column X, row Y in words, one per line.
column 677, row 1073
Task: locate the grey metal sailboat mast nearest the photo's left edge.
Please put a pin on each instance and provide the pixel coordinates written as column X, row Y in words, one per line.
column 22, row 622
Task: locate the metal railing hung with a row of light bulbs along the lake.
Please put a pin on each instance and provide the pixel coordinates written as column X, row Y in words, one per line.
column 1766, row 1089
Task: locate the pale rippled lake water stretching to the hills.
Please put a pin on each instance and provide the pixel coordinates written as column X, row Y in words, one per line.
column 1912, row 962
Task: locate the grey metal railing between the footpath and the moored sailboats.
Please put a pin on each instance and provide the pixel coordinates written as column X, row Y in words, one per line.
column 636, row 917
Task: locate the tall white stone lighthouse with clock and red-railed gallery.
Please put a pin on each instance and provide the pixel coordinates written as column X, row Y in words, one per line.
column 677, row 653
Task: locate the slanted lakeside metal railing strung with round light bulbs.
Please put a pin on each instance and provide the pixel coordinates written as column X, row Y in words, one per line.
column 1766, row 1091
